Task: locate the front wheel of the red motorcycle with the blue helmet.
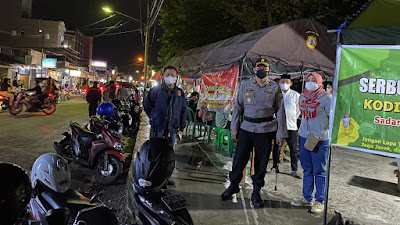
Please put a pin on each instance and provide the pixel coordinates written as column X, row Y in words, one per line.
column 114, row 164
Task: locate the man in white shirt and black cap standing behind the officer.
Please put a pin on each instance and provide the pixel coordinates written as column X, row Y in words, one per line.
column 292, row 112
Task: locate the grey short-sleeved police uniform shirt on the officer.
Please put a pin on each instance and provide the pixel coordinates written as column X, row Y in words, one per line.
column 254, row 101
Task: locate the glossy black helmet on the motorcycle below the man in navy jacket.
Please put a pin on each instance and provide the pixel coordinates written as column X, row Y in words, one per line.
column 153, row 165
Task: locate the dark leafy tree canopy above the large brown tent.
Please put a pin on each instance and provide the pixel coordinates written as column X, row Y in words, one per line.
column 193, row 23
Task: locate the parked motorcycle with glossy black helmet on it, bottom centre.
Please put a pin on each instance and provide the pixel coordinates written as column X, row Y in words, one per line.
column 147, row 201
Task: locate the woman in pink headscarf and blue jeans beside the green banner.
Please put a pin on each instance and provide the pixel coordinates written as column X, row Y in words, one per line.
column 315, row 105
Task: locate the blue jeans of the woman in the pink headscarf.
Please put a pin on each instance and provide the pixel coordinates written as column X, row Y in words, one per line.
column 314, row 166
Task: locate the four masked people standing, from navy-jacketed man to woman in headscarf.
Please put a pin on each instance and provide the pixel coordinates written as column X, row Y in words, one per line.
column 264, row 112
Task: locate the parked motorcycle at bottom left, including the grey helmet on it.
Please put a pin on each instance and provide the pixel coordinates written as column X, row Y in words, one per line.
column 51, row 180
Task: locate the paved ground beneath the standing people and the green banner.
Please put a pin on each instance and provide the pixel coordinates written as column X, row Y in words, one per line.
column 363, row 189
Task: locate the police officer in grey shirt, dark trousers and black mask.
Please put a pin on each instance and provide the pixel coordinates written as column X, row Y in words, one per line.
column 257, row 101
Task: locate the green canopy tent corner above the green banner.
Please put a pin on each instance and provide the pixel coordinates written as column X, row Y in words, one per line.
column 375, row 23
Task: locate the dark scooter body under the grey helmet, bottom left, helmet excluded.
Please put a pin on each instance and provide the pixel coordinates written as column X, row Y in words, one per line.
column 72, row 207
